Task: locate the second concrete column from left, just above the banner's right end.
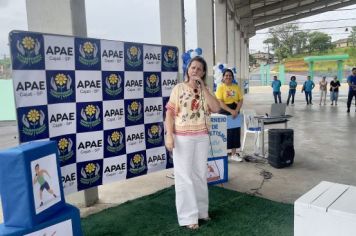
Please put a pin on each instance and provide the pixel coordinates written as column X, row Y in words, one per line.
column 172, row 25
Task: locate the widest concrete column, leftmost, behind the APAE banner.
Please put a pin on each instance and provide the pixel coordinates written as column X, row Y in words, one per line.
column 70, row 21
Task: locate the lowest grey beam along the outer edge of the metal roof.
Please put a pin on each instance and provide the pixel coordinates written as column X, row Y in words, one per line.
column 302, row 15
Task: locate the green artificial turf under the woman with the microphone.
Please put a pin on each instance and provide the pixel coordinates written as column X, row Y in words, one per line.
column 232, row 213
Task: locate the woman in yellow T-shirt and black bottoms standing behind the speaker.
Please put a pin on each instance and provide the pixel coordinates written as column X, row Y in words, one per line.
column 230, row 98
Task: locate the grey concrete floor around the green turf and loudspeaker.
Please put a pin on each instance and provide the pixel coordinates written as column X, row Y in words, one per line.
column 324, row 140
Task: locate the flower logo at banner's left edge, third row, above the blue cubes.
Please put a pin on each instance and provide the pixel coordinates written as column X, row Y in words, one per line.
column 33, row 122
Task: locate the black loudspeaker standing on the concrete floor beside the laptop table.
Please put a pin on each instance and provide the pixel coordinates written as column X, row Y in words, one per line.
column 280, row 147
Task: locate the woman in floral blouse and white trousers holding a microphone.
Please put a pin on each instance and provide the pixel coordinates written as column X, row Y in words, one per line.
column 187, row 125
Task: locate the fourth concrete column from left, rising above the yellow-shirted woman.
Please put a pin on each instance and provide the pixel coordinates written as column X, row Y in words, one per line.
column 220, row 32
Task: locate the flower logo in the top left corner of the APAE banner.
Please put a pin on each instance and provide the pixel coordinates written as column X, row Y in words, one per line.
column 28, row 50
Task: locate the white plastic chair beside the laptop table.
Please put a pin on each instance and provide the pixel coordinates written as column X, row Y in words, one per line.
column 251, row 126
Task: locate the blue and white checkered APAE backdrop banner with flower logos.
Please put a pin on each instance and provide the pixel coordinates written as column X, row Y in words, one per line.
column 101, row 101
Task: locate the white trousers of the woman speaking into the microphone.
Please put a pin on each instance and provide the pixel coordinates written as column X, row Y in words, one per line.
column 190, row 156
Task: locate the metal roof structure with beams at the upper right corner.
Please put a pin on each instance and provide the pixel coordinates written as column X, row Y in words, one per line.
column 253, row 15
